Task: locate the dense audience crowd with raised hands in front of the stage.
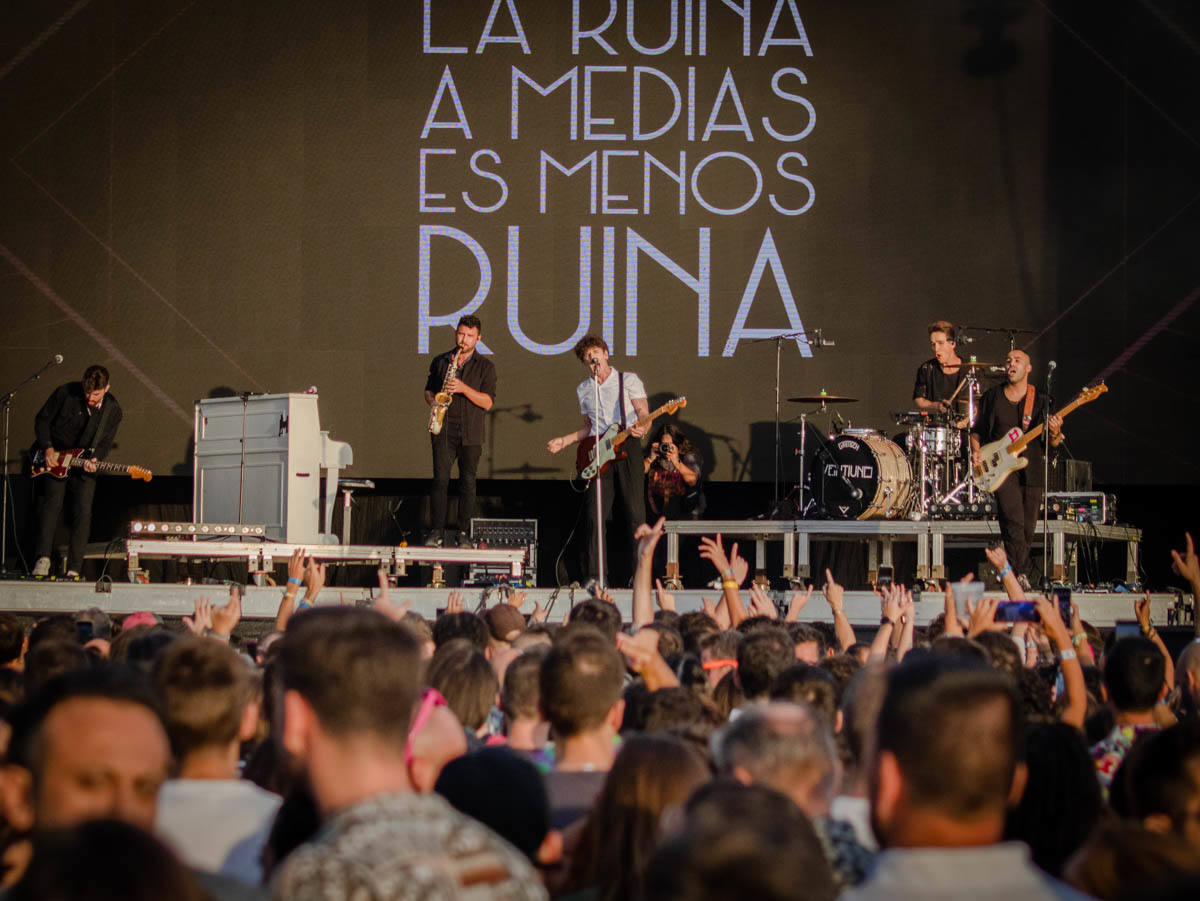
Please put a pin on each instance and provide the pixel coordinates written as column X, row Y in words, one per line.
column 746, row 750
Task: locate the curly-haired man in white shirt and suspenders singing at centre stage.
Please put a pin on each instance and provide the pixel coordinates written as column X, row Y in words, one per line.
column 610, row 397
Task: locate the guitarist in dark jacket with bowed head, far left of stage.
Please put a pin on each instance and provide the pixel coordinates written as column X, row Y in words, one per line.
column 79, row 415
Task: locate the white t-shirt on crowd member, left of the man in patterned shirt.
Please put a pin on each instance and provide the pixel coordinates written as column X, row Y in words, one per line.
column 217, row 825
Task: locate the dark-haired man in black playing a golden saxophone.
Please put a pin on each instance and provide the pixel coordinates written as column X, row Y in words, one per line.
column 460, row 389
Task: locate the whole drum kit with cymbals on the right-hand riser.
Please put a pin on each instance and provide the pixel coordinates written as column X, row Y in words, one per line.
column 921, row 473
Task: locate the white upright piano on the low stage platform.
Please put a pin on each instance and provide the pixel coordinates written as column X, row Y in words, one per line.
column 285, row 480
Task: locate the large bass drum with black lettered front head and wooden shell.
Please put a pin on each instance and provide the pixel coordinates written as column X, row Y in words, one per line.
column 874, row 466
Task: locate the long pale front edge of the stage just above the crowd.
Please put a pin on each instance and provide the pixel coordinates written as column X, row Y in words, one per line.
column 175, row 600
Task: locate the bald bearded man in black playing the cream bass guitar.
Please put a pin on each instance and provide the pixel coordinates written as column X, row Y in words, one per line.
column 1016, row 405
